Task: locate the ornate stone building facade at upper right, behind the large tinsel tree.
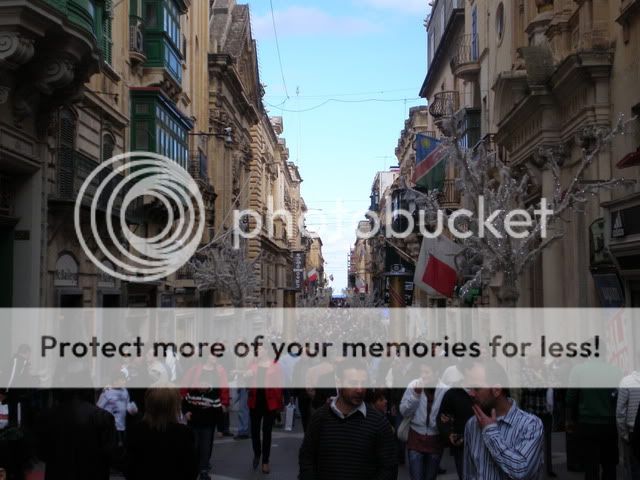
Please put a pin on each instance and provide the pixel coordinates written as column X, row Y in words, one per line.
column 533, row 74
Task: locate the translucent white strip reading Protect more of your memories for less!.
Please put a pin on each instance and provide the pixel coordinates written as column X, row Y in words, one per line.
column 309, row 348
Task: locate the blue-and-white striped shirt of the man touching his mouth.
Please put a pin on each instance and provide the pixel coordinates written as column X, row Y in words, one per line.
column 509, row 449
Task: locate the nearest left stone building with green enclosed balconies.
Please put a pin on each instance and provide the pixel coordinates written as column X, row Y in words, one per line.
column 111, row 77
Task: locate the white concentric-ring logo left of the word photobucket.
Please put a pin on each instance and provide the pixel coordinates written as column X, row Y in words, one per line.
column 128, row 179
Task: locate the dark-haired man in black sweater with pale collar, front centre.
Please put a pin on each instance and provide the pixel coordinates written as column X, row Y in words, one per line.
column 345, row 438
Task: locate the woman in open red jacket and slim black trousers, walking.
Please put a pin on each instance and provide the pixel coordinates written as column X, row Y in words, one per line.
column 264, row 404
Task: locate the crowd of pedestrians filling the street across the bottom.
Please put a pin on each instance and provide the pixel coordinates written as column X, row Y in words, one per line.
column 350, row 432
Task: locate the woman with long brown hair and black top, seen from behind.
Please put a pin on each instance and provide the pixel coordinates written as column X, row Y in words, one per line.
column 159, row 447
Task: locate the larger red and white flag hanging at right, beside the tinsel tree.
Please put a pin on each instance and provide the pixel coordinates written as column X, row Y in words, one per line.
column 436, row 271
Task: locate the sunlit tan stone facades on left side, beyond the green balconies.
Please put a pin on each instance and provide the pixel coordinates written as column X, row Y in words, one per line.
column 252, row 169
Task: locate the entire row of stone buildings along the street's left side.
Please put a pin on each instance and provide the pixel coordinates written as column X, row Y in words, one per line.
column 84, row 80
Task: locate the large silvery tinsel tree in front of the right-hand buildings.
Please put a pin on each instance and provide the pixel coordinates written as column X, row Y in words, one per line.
column 483, row 174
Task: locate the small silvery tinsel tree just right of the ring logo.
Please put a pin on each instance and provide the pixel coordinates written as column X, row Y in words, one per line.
column 227, row 270
